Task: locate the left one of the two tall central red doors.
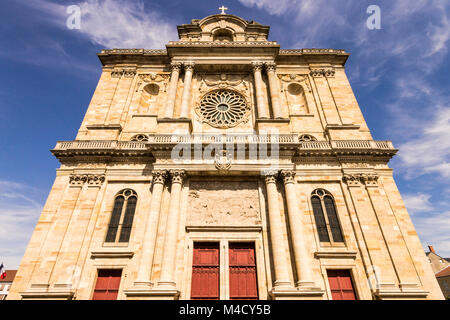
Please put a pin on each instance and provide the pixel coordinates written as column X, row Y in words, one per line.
column 205, row 272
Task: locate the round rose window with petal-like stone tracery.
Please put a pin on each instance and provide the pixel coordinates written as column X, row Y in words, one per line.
column 223, row 108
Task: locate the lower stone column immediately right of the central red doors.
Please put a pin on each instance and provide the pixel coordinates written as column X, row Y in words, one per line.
column 280, row 261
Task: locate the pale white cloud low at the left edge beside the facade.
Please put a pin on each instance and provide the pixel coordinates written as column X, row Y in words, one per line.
column 19, row 214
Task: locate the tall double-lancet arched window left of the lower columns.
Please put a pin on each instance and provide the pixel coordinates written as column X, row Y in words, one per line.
column 121, row 221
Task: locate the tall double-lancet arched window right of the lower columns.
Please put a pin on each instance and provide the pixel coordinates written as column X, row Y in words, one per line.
column 325, row 216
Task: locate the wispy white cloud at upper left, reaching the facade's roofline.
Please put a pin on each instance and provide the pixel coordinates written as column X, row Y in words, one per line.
column 111, row 23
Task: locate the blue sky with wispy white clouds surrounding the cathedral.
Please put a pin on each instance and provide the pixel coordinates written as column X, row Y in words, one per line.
column 400, row 76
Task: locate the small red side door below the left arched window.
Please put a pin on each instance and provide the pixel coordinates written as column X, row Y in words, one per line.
column 107, row 286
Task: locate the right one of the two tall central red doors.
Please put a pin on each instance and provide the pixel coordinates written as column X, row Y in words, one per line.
column 243, row 284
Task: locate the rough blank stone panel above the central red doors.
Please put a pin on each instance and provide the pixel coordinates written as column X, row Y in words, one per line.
column 225, row 203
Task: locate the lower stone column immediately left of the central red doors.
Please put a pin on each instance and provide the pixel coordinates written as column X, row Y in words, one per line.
column 167, row 279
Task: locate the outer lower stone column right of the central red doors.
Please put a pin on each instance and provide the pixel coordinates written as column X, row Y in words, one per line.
column 302, row 263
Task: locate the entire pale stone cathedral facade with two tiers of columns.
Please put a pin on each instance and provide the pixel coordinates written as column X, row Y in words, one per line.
column 224, row 167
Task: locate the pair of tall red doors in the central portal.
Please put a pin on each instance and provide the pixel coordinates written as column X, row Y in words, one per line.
column 206, row 272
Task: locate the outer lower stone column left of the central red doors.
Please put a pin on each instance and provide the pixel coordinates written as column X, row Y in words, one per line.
column 151, row 230
